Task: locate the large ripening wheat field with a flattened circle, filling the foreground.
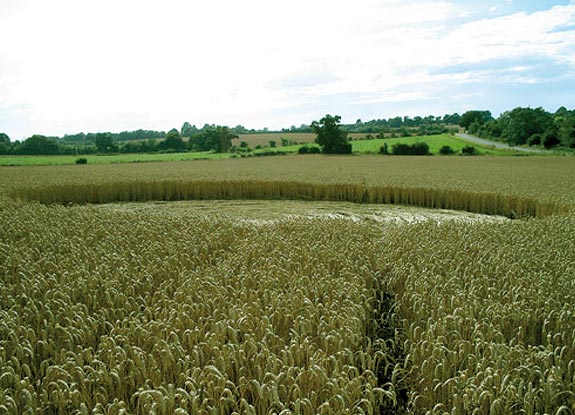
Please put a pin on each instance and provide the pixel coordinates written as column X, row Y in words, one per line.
column 162, row 305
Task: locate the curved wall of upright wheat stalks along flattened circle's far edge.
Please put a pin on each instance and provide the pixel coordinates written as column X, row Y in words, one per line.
column 176, row 190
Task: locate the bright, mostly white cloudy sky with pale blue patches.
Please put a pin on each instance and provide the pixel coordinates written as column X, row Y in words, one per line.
column 69, row 66
